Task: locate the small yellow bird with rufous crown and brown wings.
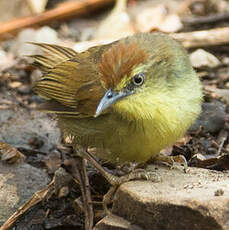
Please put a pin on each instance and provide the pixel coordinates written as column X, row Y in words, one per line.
column 128, row 99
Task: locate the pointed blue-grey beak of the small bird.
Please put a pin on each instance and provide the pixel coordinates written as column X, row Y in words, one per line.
column 108, row 99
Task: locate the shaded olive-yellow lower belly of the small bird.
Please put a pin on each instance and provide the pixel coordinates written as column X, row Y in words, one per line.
column 117, row 140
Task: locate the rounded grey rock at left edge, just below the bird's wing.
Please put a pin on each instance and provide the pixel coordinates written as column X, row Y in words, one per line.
column 19, row 128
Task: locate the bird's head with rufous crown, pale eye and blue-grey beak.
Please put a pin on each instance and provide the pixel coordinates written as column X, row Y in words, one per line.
column 137, row 70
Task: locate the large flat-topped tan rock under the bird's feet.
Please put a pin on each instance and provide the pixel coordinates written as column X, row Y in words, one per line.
column 181, row 200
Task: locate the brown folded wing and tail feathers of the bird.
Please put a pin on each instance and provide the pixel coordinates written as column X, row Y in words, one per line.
column 70, row 82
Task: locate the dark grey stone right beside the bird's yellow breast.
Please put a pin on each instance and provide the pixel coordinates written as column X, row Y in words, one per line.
column 212, row 118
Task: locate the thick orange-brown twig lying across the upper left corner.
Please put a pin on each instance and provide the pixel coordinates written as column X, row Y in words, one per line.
column 63, row 11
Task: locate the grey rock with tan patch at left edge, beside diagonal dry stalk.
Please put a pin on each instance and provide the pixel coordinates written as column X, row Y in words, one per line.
column 18, row 183
